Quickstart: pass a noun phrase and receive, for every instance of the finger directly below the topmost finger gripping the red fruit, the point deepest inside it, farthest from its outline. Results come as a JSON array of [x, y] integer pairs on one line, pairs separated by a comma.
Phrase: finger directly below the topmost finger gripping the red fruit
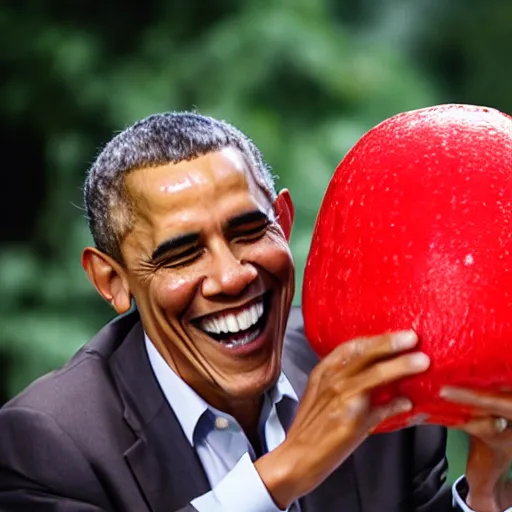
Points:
[[390, 370]]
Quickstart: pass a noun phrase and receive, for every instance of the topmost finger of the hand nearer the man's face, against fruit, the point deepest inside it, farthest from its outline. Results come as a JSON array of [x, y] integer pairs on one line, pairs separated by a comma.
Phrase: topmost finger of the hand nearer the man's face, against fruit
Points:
[[361, 352]]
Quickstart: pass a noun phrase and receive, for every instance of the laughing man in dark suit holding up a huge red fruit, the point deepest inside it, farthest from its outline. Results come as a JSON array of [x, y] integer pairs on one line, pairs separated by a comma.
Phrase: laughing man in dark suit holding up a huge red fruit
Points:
[[203, 394]]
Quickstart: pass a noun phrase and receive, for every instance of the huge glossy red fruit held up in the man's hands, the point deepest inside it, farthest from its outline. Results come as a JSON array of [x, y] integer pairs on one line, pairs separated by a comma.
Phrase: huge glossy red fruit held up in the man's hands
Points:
[[415, 231]]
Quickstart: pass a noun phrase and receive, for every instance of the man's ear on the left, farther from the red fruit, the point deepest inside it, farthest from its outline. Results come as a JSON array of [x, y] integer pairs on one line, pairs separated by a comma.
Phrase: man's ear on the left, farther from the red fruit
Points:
[[108, 278]]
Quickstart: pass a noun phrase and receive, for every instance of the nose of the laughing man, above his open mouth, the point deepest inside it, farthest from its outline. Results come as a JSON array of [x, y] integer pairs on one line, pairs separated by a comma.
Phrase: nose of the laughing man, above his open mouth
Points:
[[227, 275]]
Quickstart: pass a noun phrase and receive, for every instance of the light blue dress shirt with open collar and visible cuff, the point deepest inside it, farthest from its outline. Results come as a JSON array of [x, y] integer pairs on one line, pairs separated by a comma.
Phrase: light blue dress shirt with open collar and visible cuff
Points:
[[221, 445]]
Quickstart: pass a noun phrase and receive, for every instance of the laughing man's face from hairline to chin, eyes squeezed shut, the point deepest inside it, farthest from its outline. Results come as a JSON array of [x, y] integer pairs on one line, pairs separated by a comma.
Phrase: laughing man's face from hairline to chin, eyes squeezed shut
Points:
[[211, 272]]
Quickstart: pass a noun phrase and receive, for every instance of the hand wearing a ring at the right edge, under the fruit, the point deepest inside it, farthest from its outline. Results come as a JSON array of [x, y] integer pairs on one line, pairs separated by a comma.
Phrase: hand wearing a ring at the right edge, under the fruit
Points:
[[490, 453]]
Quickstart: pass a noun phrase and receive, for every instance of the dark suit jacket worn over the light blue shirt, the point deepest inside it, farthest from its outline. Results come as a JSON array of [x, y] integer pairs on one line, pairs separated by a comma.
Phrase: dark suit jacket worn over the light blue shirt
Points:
[[98, 435]]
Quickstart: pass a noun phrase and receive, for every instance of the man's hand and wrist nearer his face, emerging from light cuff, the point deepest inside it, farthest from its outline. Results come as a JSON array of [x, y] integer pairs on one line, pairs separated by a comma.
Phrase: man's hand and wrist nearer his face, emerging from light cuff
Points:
[[336, 415]]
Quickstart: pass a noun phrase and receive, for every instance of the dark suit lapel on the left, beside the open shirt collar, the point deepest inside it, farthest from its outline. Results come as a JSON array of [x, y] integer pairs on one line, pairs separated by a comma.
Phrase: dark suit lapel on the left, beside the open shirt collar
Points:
[[165, 466]]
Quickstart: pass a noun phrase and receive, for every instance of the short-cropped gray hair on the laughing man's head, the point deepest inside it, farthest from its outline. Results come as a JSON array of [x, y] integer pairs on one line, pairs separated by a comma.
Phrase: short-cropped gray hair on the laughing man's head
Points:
[[156, 140]]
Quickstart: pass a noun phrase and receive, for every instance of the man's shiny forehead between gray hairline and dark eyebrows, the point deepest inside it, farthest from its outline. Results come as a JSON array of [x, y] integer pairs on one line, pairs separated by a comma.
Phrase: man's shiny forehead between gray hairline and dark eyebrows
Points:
[[189, 191]]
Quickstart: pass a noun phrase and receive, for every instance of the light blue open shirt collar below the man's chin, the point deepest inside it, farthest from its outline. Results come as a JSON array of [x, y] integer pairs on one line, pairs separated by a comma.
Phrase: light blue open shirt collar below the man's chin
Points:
[[186, 403]]
